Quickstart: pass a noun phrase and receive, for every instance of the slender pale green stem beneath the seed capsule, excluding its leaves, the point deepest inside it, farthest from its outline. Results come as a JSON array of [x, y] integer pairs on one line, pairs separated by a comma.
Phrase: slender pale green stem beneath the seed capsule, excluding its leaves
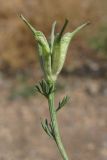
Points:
[[53, 117]]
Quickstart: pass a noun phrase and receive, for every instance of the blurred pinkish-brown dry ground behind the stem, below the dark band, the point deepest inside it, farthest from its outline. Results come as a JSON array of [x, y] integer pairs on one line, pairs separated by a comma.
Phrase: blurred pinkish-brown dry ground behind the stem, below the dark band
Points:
[[83, 122]]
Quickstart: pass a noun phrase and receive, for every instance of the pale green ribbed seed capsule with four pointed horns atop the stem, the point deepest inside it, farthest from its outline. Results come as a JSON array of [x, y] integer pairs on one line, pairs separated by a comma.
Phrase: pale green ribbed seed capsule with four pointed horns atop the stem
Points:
[[52, 55]]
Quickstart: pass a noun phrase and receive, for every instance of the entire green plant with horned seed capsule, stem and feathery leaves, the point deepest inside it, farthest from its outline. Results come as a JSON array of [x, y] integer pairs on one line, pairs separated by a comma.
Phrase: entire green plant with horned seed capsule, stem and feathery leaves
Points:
[[52, 56]]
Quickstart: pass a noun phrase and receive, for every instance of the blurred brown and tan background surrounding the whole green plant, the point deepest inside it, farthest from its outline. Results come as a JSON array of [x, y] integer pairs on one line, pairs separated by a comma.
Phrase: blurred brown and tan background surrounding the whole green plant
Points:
[[83, 122]]
